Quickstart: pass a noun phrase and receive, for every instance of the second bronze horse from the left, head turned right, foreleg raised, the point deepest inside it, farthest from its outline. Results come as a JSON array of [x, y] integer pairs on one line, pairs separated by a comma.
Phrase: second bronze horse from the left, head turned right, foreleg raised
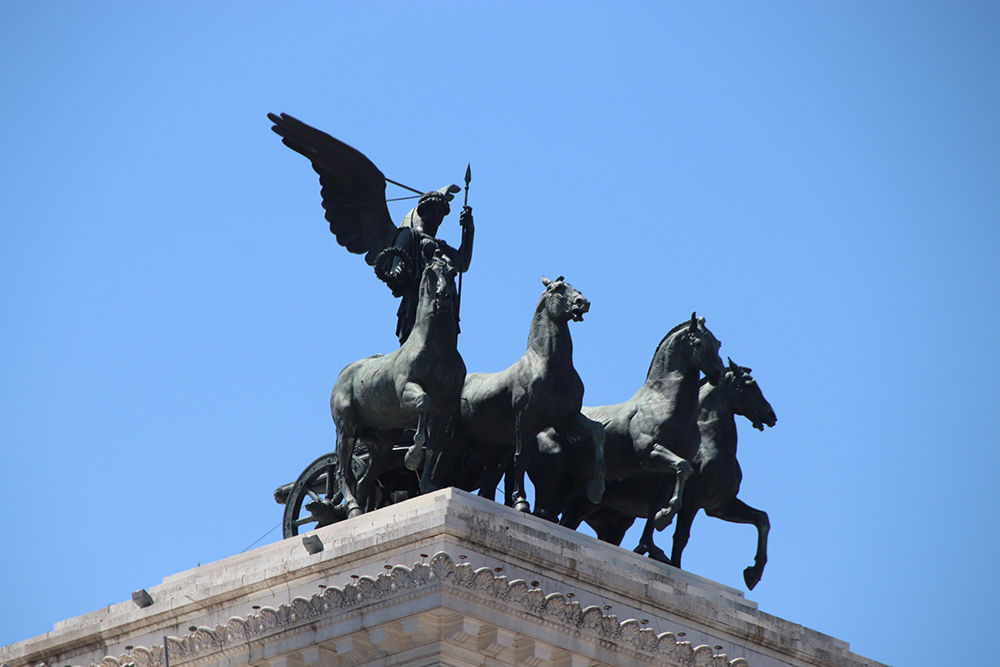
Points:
[[503, 412]]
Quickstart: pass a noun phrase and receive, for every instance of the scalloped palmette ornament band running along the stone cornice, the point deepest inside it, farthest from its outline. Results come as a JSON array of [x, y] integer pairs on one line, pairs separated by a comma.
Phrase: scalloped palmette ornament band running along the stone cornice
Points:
[[516, 595]]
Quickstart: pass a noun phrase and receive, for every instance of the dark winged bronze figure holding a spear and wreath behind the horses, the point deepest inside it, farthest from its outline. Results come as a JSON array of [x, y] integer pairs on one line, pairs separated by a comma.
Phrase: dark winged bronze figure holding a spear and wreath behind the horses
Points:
[[353, 193]]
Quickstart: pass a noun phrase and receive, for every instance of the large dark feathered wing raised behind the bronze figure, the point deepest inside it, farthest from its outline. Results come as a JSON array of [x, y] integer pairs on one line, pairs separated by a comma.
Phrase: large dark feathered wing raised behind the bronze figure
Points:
[[352, 187]]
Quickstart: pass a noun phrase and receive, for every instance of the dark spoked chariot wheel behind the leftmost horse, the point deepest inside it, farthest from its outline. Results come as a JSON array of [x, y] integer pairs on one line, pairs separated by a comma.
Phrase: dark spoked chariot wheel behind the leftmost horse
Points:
[[314, 498]]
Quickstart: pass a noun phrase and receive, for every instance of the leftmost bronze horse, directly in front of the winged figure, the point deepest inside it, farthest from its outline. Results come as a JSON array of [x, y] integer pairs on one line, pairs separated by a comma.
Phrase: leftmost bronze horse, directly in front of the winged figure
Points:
[[374, 399]]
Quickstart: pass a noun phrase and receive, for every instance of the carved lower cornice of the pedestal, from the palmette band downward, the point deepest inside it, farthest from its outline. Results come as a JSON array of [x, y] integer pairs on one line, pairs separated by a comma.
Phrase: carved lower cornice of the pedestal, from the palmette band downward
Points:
[[294, 634]]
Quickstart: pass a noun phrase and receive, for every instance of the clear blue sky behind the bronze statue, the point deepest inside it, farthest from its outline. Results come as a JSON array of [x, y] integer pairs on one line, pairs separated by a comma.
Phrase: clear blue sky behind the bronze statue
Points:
[[819, 180]]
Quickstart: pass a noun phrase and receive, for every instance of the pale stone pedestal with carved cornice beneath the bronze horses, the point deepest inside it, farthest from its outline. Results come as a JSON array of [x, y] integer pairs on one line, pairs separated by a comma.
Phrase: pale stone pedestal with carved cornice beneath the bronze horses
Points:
[[444, 579]]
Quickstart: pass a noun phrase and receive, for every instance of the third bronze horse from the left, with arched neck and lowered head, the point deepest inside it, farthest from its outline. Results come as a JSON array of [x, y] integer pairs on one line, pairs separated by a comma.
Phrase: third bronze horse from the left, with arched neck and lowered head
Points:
[[655, 432]]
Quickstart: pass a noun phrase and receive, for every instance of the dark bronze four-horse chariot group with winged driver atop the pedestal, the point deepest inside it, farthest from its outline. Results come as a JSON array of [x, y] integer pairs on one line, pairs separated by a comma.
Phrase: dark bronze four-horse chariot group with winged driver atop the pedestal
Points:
[[415, 409]]
